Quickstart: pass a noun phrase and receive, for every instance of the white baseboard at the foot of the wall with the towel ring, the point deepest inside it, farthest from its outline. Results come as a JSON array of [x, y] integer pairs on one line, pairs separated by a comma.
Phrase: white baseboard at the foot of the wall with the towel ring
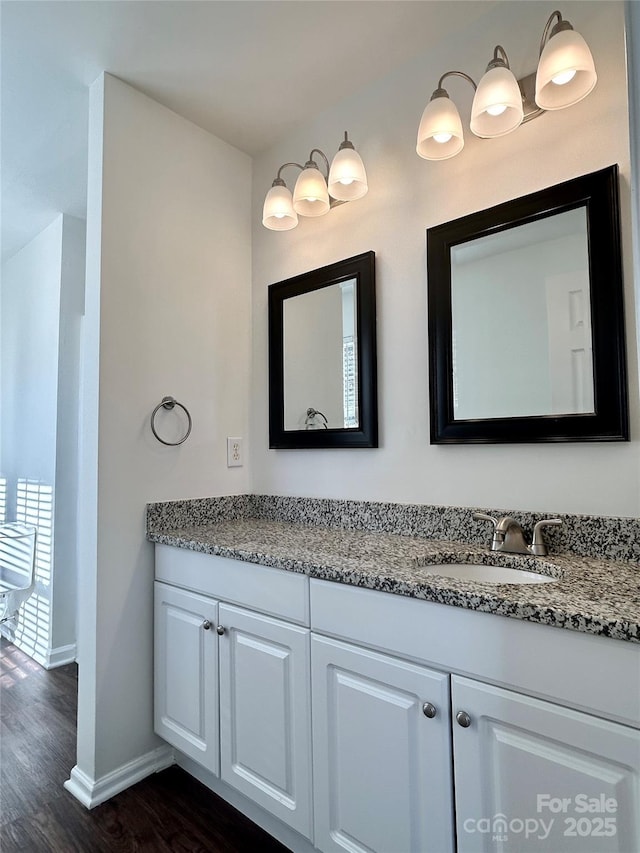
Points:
[[91, 792]]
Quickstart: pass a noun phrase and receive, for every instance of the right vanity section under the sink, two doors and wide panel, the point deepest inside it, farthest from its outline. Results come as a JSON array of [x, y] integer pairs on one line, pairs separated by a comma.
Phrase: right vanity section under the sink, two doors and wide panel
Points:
[[518, 759]]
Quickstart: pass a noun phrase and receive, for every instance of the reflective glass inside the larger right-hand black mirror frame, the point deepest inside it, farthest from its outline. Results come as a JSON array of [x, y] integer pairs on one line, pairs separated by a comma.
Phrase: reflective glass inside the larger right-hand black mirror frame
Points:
[[521, 321]]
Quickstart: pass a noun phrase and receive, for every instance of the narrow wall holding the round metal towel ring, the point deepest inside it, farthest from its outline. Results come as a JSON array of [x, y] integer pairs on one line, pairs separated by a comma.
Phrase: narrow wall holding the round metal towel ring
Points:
[[168, 312]]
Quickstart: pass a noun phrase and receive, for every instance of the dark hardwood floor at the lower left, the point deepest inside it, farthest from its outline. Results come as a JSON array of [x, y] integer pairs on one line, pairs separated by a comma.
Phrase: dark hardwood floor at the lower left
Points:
[[169, 811]]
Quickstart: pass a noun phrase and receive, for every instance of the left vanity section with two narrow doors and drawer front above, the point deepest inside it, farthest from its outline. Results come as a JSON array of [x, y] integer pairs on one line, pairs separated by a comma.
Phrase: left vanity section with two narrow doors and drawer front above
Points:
[[232, 683]]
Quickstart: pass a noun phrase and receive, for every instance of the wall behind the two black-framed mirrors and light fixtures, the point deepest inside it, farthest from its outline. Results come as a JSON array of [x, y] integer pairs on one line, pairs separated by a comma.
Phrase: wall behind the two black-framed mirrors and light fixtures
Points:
[[406, 196]]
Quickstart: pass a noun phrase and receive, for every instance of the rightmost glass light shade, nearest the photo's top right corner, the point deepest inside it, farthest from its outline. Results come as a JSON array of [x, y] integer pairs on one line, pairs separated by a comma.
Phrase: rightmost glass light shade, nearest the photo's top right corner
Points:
[[565, 52]]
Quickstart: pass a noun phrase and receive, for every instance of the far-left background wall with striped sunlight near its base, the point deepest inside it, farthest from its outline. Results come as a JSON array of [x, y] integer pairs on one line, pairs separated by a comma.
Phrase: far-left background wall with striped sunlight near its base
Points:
[[42, 303]]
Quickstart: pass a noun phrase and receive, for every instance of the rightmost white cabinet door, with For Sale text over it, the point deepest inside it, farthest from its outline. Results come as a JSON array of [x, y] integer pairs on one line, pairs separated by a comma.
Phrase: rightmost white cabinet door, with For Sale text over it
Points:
[[534, 776]]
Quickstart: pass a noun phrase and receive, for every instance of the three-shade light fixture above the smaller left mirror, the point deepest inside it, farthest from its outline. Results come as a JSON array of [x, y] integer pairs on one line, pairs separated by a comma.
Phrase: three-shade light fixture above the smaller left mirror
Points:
[[315, 193]]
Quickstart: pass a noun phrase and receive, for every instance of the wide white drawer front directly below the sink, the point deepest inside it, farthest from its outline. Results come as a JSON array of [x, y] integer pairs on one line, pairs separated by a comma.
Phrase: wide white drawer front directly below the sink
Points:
[[589, 673]]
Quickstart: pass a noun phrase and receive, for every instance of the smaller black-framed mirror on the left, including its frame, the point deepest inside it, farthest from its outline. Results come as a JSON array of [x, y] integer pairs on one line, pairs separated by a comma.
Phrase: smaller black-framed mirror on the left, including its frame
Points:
[[322, 357]]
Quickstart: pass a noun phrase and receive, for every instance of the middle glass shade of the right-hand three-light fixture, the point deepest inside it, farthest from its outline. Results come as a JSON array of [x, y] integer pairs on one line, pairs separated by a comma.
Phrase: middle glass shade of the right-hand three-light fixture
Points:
[[497, 104]]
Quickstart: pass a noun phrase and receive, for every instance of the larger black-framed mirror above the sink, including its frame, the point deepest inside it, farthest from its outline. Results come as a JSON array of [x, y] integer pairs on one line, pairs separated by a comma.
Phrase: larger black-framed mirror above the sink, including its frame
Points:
[[526, 320]]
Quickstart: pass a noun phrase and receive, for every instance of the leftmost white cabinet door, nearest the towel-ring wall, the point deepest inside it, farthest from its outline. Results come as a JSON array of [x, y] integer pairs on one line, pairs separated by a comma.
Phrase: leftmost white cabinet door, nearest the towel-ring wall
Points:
[[186, 673]]
